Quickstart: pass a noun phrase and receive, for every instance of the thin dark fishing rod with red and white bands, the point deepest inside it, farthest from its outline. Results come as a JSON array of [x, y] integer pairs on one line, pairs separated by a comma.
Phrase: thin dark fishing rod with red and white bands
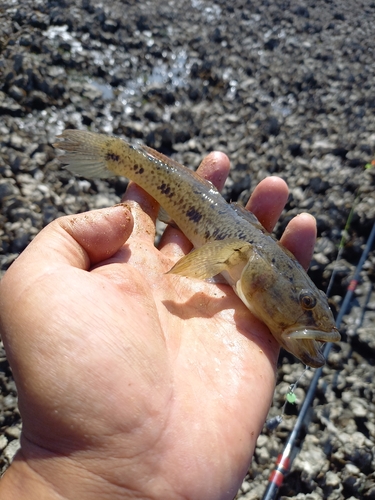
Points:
[[285, 459]]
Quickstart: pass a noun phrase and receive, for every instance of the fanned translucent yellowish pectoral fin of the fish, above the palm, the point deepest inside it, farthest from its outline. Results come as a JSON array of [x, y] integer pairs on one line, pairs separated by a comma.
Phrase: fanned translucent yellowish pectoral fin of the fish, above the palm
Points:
[[213, 258]]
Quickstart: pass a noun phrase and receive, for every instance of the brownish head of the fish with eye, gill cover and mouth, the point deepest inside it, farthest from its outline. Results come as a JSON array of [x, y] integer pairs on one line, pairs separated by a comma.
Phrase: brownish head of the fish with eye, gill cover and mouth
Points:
[[278, 291]]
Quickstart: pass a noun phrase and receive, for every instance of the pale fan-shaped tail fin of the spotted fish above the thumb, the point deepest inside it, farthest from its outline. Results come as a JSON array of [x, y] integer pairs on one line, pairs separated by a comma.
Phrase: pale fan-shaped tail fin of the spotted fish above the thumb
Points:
[[89, 154]]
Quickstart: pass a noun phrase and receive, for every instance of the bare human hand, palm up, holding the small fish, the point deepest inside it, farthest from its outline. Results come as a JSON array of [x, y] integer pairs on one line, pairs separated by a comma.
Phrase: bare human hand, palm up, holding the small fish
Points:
[[133, 383]]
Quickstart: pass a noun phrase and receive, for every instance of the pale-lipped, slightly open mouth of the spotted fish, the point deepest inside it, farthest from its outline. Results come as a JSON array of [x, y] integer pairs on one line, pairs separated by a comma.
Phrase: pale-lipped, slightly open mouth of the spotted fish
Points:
[[306, 344]]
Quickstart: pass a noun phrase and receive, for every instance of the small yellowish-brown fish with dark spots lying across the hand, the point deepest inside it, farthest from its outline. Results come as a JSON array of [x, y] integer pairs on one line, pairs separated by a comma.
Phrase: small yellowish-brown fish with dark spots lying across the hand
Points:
[[228, 240]]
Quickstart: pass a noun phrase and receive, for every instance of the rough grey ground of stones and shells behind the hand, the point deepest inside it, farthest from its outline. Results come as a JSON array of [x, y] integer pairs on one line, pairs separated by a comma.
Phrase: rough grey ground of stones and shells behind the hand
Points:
[[283, 87]]
